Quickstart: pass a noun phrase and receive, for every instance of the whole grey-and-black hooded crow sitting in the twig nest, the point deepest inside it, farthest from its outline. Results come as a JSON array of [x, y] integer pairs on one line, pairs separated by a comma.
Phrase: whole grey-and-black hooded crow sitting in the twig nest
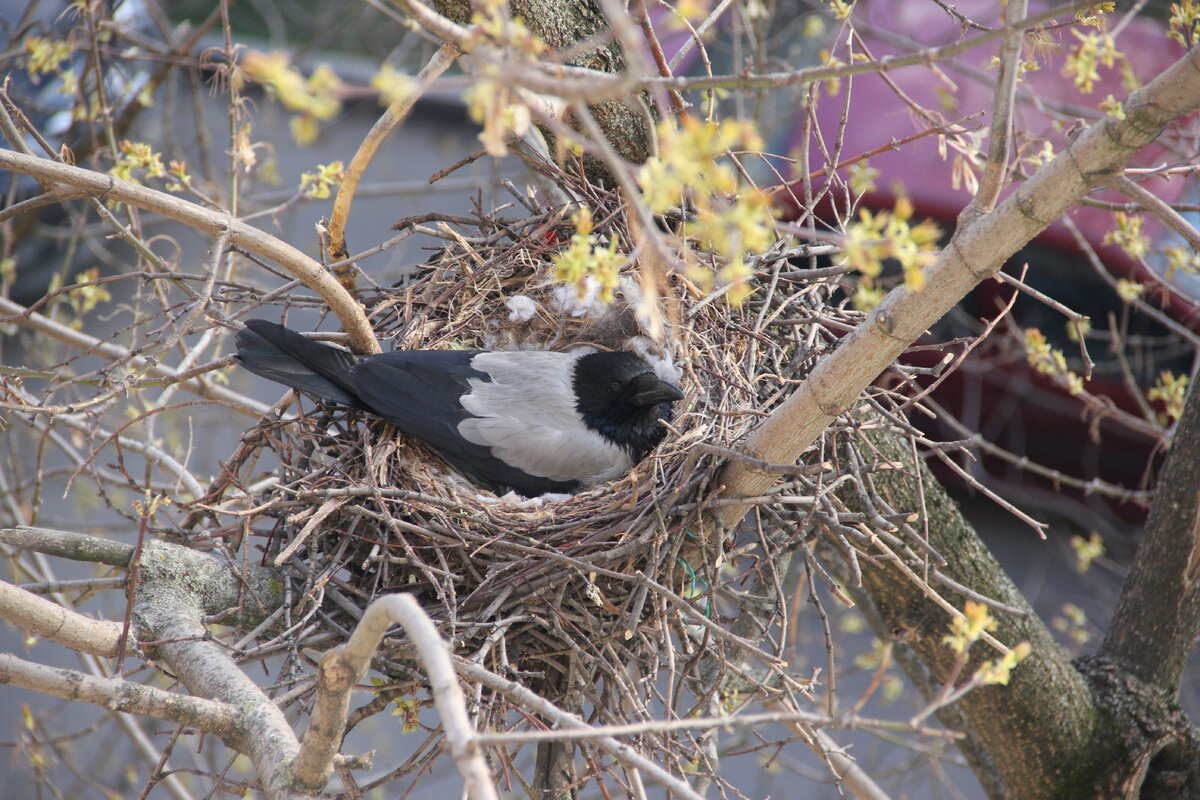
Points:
[[527, 422]]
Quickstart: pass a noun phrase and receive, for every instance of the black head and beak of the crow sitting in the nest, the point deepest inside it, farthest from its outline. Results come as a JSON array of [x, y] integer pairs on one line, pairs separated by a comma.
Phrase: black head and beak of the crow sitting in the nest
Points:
[[620, 398]]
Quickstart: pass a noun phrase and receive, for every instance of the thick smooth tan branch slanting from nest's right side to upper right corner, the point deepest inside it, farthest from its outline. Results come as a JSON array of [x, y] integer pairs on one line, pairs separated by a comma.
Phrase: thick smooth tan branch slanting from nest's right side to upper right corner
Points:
[[976, 252]]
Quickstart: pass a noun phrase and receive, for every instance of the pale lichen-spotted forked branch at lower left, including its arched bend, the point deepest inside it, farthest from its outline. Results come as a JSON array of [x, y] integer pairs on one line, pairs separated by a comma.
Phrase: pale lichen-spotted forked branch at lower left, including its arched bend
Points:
[[177, 590]]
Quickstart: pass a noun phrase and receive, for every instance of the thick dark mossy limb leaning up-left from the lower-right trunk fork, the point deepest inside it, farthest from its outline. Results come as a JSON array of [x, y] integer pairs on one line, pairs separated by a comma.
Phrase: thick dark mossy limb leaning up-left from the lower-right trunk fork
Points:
[[1039, 730]]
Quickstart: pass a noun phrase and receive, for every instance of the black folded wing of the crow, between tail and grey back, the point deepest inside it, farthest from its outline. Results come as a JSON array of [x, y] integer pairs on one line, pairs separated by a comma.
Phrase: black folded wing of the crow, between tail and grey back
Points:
[[421, 392]]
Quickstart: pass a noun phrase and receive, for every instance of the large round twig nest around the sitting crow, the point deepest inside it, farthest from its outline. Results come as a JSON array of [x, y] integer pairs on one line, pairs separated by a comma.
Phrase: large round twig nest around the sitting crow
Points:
[[358, 512]]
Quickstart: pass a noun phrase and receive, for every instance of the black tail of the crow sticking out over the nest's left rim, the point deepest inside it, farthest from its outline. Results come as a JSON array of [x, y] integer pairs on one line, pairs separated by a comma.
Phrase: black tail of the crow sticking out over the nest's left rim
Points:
[[285, 357]]
